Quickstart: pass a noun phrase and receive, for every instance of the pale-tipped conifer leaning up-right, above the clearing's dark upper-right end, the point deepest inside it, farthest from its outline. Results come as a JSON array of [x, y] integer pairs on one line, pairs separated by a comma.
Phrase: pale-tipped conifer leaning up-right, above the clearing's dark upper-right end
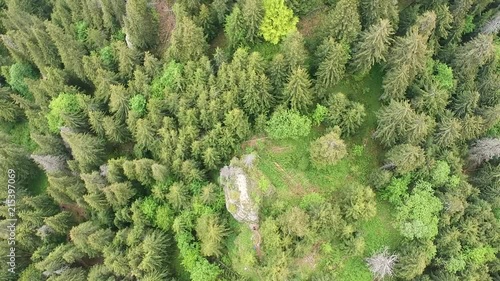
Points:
[[373, 46]]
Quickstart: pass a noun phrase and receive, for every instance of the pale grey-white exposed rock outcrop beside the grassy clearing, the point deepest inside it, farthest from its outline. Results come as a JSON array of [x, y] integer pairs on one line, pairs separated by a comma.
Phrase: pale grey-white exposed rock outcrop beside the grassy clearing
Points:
[[238, 187]]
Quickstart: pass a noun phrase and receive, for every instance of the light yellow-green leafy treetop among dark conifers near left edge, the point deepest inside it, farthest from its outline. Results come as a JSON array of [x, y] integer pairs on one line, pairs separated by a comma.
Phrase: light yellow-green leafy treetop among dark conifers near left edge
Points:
[[60, 107]]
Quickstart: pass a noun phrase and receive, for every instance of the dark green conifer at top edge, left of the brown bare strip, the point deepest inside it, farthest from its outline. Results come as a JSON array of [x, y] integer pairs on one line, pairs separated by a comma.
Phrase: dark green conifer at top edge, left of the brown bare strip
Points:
[[140, 25]]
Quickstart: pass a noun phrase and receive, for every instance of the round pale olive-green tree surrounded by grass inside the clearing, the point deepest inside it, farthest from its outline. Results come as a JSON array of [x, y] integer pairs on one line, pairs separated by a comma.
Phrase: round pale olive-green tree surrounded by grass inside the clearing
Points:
[[327, 150]]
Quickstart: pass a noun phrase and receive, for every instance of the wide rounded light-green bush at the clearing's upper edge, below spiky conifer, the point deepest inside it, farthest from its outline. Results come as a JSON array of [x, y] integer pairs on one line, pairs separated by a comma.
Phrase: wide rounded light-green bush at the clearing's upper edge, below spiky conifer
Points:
[[286, 124]]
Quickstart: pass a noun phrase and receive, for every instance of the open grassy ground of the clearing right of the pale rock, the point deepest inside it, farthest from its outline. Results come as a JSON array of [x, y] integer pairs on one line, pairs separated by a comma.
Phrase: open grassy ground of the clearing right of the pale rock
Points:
[[286, 165]]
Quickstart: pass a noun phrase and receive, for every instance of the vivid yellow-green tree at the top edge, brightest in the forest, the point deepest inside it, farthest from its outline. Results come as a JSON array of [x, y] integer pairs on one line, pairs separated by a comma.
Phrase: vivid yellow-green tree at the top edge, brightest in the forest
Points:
[[278, 21]]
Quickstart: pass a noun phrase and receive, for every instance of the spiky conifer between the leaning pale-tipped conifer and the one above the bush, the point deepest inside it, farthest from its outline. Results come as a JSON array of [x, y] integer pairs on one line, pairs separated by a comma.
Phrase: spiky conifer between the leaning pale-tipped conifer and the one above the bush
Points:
[[334, 57]]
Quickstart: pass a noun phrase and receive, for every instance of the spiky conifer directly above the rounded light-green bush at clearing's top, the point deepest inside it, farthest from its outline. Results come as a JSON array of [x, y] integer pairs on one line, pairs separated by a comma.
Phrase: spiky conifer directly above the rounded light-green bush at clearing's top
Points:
[[298, 93]]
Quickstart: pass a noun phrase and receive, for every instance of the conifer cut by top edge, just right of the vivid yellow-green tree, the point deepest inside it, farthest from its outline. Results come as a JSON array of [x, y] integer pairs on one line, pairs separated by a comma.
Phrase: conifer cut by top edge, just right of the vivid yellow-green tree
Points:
[[343, 22]]
